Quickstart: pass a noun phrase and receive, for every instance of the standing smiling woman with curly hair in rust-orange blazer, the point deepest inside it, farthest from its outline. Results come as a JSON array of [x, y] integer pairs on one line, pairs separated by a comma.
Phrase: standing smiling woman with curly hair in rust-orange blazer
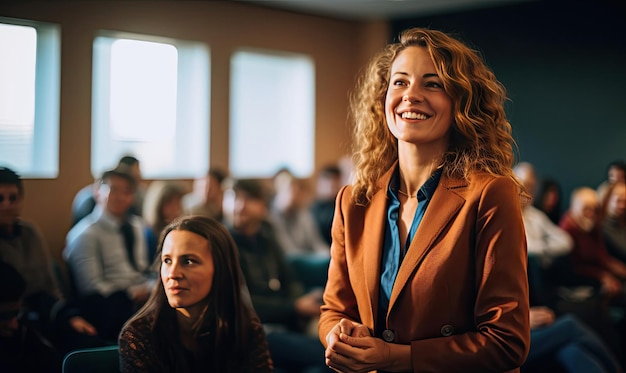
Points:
[[428, 259]]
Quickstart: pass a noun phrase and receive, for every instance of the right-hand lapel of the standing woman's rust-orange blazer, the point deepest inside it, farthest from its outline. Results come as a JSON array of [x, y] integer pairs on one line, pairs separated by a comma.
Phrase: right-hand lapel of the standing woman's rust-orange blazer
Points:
[[443, 206]]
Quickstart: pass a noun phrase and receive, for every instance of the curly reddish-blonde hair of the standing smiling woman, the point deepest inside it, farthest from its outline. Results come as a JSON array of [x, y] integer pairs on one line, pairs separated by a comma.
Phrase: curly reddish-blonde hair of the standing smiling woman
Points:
[[480, 139]]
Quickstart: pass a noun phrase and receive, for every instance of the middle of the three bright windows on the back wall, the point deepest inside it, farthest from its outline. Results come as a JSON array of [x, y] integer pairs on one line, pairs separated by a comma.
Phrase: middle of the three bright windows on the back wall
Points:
[[150, 100]]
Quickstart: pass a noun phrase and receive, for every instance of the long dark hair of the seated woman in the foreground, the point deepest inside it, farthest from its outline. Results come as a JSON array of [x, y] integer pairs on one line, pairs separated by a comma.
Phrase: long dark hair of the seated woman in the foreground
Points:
[[226, 325]]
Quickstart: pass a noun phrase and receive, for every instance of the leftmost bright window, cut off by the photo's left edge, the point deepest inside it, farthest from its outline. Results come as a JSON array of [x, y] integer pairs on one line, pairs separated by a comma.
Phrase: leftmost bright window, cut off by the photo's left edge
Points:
[[29, 97]]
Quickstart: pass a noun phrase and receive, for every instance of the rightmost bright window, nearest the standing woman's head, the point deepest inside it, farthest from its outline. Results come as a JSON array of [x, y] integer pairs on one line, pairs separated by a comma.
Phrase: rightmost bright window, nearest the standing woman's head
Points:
[[272, 113]]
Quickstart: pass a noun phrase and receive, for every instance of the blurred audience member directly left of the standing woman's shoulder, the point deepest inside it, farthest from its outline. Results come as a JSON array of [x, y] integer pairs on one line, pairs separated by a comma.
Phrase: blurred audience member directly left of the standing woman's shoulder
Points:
[[323, 206]]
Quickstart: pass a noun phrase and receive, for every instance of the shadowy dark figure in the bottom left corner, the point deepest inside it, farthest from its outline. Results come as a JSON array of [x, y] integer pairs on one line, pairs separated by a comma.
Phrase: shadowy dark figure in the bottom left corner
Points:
[[22, 347]]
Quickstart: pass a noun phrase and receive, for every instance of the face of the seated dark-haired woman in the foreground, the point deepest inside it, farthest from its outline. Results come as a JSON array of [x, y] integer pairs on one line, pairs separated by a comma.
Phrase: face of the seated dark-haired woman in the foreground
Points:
[[187, 269]]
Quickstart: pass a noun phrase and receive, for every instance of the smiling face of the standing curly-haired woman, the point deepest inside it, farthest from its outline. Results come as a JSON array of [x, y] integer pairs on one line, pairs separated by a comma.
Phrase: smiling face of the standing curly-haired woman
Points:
[[418, 109]]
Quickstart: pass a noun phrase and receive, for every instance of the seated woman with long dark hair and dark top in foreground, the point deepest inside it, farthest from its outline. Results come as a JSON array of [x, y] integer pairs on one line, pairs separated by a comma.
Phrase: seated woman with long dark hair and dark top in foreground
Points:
[[199, 316]]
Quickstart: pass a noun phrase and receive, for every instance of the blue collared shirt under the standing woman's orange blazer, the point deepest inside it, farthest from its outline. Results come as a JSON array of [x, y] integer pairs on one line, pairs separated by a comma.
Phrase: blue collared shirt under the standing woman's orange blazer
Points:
[[392, 253]]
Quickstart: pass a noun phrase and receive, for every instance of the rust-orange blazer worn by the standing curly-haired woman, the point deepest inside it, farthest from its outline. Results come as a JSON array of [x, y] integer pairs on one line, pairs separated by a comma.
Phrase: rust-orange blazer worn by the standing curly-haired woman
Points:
[[460, 298]]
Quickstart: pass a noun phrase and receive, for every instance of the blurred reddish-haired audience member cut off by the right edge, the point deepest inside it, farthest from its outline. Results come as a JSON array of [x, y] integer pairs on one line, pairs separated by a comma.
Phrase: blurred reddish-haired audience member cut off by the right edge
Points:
[[614, 220]]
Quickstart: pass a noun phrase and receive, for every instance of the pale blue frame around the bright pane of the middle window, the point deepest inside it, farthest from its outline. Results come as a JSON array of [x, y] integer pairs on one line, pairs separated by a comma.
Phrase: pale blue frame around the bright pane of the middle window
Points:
[[191, 156]]
